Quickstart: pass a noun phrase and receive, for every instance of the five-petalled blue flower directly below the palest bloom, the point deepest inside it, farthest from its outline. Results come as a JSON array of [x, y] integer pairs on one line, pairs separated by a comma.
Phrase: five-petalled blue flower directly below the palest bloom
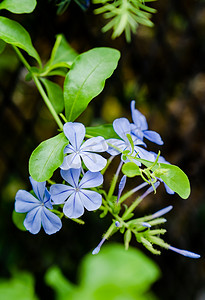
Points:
[[75, 196]]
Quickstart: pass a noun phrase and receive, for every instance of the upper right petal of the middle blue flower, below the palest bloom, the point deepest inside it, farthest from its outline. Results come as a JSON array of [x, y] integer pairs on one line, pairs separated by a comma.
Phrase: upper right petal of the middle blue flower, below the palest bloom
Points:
[[91, 179]]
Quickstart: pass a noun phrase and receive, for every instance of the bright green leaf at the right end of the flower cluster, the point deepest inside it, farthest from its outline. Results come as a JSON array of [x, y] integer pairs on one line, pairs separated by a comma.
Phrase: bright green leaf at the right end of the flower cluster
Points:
[[173, 176]]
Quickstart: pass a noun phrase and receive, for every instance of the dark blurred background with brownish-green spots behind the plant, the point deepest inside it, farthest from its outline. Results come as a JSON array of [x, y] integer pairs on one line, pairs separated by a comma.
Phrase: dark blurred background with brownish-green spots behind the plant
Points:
[[163, 69]]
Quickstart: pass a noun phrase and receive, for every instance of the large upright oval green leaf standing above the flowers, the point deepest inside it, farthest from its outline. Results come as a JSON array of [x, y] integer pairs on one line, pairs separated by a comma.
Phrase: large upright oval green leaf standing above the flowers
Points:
[[86, 79]]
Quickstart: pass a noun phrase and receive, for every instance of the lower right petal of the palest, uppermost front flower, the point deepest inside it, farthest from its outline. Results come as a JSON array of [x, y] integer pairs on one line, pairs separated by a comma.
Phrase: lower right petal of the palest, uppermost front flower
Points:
[[94, 162]]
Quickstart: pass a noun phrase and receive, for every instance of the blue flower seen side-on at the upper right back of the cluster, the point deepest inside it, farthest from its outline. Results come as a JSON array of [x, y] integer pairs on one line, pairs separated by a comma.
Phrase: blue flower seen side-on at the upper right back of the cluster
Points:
[[140, 127]]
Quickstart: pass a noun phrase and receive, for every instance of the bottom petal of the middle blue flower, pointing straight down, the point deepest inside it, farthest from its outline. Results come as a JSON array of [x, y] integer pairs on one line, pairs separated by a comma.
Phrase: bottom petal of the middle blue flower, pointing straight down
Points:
[[73, 207]]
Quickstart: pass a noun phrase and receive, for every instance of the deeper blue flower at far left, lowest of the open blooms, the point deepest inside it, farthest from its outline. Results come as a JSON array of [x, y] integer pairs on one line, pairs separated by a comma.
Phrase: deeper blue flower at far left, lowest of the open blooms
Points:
[[37, 208]]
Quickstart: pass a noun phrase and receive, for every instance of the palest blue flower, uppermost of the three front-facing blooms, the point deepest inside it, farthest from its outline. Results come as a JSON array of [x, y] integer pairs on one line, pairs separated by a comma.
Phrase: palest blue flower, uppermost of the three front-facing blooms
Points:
[[77, 150]]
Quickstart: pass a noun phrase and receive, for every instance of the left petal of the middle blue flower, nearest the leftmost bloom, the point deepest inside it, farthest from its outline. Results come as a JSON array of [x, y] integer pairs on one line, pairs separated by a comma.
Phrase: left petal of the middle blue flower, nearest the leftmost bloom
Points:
[[60, 193]]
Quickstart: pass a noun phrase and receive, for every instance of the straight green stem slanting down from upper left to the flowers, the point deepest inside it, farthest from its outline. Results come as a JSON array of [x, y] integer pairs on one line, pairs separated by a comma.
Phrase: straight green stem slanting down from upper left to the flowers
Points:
[[40, 88]]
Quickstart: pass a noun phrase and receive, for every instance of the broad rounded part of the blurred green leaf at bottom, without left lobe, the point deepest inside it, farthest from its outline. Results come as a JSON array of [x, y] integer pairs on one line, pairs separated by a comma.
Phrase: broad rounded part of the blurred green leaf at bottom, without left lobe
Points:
[[121, 272]]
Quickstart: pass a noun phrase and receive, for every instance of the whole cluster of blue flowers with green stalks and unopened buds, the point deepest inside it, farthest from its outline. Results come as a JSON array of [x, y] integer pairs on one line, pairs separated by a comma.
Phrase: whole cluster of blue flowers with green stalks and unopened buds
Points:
[[82, 173]]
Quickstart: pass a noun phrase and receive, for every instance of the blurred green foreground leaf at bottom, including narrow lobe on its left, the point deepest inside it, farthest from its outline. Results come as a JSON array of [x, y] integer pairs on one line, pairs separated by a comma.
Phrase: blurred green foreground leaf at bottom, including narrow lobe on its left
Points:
[[112, 274]]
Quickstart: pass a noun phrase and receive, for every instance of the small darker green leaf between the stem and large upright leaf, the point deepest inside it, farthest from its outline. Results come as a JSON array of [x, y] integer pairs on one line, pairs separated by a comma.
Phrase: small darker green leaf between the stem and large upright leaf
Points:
[[55, 94]]
